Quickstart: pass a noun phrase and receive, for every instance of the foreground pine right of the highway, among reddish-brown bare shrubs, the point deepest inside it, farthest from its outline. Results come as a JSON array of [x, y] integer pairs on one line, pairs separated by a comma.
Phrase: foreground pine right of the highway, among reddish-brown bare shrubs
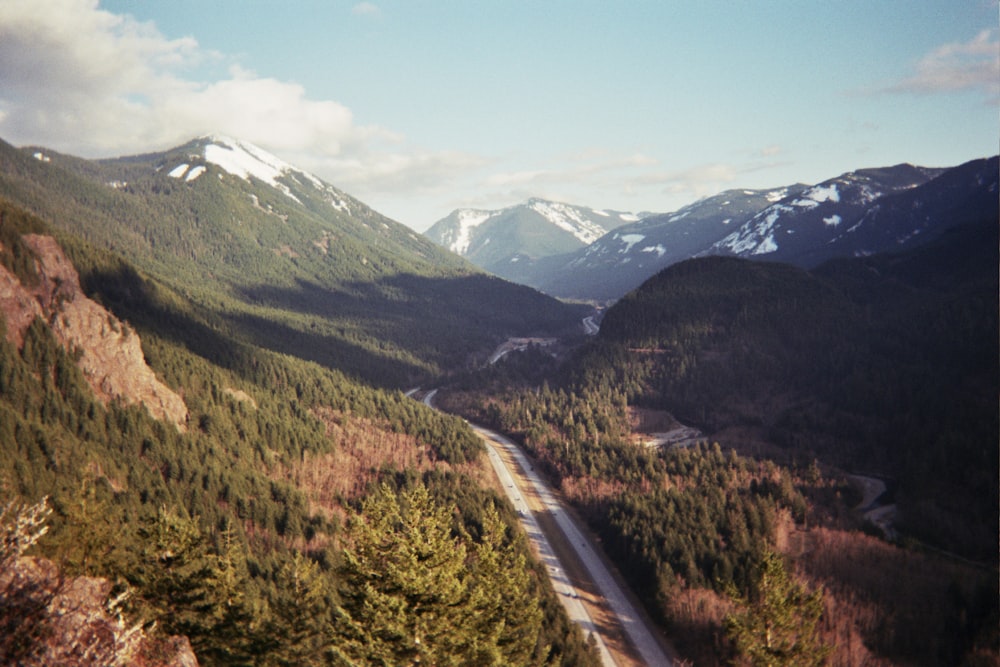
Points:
[[777, 624]]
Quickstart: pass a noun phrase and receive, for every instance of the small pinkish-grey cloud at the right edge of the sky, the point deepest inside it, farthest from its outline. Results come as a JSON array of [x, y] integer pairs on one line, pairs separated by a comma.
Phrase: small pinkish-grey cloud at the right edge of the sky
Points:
[[972, 65]]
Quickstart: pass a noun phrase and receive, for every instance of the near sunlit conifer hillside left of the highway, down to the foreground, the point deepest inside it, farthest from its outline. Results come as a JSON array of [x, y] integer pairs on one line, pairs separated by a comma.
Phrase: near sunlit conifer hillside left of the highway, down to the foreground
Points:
[[285, 519]]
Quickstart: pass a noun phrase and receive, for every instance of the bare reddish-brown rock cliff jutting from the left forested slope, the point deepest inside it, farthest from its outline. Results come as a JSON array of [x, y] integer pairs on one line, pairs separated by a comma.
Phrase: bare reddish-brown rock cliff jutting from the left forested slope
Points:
[[111, 354]]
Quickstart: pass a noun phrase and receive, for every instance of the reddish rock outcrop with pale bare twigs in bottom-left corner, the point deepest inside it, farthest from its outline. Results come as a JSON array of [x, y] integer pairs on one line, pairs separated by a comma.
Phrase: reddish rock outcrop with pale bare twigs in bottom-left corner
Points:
[[52, 620]]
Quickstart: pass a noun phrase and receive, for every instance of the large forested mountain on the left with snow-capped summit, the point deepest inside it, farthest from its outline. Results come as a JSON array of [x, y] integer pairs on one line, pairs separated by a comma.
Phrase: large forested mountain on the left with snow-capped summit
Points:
[[276, 257]]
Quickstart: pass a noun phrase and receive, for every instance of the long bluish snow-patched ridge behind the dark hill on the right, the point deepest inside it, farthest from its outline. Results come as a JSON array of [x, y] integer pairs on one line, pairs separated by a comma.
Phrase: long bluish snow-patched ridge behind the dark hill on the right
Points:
[[856, 214]]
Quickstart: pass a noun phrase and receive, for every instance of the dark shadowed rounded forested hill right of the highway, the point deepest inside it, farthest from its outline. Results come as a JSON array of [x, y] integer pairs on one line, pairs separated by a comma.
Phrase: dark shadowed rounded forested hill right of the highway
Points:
[[886, 364]]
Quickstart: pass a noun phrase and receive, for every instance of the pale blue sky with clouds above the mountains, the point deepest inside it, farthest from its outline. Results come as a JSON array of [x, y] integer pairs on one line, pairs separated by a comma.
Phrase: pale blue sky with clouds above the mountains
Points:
[[420, 107]]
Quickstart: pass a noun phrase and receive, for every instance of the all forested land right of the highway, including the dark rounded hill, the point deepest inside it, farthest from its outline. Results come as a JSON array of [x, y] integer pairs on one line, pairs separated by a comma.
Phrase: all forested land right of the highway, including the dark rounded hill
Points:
[[883, 366]]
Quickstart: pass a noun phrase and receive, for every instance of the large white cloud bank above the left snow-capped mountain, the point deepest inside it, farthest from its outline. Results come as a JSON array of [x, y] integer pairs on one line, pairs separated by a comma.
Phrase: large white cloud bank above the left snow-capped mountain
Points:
[[82, 80]]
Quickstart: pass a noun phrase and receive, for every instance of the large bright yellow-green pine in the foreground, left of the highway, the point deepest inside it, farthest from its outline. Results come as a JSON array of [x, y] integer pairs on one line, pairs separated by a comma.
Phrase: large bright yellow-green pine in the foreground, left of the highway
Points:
[[406, 597]]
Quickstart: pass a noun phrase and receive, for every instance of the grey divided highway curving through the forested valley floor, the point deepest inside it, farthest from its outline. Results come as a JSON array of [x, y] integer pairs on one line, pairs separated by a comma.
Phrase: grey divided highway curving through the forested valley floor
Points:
[[631, 621]]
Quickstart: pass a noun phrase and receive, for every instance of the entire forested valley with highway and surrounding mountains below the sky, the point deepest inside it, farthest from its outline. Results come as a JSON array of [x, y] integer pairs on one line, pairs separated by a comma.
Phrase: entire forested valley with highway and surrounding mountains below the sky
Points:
[[275, 499]]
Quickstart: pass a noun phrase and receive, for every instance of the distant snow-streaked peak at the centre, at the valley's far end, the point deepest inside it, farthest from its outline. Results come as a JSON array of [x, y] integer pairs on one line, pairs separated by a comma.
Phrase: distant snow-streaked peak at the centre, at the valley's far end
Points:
[[499, 241]]
